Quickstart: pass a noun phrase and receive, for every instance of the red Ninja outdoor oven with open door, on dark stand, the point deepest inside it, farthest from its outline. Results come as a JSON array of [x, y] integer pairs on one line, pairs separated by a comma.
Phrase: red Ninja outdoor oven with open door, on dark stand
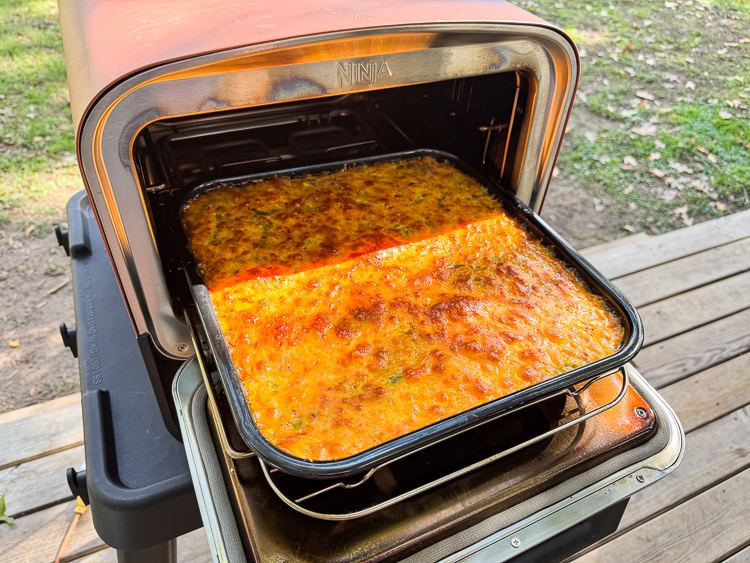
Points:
[[167, 96]]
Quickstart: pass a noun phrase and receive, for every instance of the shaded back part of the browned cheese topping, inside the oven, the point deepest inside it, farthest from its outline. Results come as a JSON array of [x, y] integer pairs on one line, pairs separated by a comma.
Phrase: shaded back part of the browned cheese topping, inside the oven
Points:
[[284, 226]]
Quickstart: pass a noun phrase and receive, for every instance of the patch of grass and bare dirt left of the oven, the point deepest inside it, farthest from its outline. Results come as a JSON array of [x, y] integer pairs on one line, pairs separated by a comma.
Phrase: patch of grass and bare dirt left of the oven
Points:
[[37, 147]]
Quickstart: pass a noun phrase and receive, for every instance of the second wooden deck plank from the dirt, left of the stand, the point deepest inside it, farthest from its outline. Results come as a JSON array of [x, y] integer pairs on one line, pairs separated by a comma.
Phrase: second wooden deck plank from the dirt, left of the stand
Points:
[[40, 483]]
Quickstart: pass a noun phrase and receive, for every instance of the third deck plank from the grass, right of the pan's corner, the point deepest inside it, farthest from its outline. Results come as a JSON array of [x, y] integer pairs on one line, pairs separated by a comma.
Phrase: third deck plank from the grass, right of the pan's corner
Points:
[[695, 308]]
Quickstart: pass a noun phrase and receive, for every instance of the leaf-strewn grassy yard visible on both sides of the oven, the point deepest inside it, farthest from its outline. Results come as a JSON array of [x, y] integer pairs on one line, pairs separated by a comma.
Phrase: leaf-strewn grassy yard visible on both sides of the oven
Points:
[[660, 128]]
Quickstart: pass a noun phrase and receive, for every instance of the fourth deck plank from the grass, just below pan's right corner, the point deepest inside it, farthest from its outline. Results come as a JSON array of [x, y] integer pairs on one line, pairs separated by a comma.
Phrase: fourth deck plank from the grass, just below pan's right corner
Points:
[[694, 351]]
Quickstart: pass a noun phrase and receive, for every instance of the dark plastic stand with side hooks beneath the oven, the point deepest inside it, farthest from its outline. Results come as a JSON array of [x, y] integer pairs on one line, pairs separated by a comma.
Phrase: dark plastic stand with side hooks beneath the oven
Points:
[[137, 479]]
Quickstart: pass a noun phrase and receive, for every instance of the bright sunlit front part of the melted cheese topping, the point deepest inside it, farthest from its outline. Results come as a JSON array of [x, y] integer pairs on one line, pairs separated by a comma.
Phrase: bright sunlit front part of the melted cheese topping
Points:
[[344, 357]]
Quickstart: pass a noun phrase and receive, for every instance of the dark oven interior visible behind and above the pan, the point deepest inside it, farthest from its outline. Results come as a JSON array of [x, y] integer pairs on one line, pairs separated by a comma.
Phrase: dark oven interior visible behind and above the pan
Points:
[[478, 119]]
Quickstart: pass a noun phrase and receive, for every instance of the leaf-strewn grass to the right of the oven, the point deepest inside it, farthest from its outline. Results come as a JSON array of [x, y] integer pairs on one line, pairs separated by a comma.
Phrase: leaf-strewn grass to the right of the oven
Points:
[[661, 126]]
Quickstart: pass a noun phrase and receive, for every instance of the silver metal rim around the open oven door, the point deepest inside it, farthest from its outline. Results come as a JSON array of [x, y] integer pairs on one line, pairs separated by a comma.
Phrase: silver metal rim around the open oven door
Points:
[[498, 538]]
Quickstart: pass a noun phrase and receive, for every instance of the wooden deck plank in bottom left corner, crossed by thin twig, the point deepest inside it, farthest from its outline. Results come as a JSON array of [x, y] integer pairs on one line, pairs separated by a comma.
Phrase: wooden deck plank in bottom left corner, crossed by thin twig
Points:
[[37, 537]]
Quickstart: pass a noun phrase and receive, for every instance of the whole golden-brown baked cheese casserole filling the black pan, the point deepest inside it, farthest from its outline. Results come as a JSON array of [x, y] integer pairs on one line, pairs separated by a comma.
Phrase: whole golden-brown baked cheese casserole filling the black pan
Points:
[[460, 310]]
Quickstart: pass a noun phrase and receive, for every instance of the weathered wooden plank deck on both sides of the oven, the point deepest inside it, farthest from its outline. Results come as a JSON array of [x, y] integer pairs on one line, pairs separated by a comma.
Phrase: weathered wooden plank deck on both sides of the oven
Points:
[[692, 288]]
